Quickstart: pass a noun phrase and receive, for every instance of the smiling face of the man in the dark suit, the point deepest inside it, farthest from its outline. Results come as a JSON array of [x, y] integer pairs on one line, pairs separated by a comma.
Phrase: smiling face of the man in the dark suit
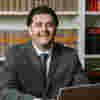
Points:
[[43, 29]]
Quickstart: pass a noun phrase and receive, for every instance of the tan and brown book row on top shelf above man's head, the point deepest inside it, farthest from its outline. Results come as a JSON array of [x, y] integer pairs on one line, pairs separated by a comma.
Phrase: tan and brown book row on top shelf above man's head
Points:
[[25, 5]]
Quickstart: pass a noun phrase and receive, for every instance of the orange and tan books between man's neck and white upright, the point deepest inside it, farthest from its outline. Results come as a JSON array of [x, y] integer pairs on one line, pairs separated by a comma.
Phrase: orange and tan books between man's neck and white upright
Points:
[[67, 37]]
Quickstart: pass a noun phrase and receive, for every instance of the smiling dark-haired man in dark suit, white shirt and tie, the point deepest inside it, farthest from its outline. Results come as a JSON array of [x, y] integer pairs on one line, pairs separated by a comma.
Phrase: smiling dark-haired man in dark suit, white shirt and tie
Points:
[[62, 67]]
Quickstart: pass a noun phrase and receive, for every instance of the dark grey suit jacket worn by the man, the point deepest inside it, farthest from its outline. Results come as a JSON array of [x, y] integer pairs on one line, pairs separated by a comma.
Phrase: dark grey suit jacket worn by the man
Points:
[[27, 77]]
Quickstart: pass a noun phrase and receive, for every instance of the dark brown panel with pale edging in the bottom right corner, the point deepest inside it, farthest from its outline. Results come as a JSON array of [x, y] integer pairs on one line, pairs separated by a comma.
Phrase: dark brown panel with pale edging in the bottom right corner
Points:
[[80, 92]]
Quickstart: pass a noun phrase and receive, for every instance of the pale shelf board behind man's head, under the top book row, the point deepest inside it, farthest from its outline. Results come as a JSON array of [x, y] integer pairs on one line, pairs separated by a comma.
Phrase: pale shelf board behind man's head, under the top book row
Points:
[[21, 13]]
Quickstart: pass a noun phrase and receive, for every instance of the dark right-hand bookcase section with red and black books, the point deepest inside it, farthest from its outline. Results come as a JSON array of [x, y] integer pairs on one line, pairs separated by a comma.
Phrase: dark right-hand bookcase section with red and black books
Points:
[[92, 38]]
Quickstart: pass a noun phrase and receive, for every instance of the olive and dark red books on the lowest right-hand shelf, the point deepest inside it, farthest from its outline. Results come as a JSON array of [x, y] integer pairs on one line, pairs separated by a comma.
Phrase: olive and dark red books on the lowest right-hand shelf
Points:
[[93, 68]]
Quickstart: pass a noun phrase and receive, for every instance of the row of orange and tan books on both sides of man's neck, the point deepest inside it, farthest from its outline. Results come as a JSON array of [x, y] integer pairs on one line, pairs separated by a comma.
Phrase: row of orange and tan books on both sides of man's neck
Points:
[[66, 37]]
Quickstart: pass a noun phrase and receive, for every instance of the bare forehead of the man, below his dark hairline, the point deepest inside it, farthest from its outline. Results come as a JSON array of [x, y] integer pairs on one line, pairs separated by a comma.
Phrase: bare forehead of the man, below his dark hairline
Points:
[[42, 18]]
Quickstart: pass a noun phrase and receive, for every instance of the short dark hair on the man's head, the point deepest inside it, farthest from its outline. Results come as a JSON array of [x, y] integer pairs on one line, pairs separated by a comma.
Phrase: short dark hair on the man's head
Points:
[[41, 9]]
